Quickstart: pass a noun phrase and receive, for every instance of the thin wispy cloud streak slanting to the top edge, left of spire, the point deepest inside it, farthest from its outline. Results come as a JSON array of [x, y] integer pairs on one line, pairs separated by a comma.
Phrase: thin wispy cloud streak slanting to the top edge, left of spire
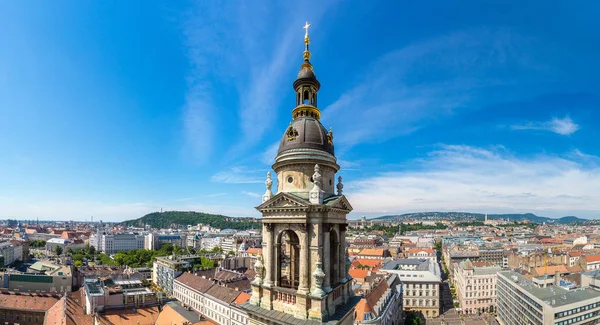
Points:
[[280, 54]]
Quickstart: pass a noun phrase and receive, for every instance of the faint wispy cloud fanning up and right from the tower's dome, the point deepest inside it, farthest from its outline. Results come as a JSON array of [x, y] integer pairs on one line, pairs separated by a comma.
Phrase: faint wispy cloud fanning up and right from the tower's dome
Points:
[[427, 81]]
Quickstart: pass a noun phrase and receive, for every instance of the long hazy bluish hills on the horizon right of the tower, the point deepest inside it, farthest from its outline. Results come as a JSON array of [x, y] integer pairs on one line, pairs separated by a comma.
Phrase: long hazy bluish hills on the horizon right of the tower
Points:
[[479, 216]]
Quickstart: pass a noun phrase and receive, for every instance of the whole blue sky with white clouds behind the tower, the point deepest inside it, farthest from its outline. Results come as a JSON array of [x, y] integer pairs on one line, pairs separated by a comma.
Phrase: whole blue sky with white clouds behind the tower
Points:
[[116, 109]]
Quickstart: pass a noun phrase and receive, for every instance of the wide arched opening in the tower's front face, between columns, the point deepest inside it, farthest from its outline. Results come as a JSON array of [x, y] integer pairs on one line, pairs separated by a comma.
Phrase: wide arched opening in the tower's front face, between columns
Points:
[[288, 255]]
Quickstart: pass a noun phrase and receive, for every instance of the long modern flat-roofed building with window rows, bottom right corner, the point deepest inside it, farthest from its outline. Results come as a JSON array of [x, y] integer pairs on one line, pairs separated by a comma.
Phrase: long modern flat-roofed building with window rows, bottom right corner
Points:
[[521, 301]]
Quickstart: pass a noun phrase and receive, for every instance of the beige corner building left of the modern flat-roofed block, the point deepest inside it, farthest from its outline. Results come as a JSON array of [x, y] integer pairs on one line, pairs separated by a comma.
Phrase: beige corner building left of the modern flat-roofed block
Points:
[[475, 284]]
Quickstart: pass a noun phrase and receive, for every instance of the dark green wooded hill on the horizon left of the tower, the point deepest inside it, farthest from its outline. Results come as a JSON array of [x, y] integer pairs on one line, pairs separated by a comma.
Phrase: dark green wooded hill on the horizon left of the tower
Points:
[[184, 218]]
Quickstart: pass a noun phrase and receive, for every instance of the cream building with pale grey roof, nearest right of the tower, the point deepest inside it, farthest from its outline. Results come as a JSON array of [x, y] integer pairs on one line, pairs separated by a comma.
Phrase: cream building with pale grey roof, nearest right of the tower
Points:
[[421, 280]]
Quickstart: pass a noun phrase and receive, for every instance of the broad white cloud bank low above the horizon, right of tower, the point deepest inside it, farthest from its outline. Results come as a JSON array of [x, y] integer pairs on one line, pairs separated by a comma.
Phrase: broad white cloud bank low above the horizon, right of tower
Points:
[[462, 178]]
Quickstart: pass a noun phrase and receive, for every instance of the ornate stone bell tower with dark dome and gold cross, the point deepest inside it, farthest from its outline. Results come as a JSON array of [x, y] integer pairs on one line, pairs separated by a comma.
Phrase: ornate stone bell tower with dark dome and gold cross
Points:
[[302, 273]]
